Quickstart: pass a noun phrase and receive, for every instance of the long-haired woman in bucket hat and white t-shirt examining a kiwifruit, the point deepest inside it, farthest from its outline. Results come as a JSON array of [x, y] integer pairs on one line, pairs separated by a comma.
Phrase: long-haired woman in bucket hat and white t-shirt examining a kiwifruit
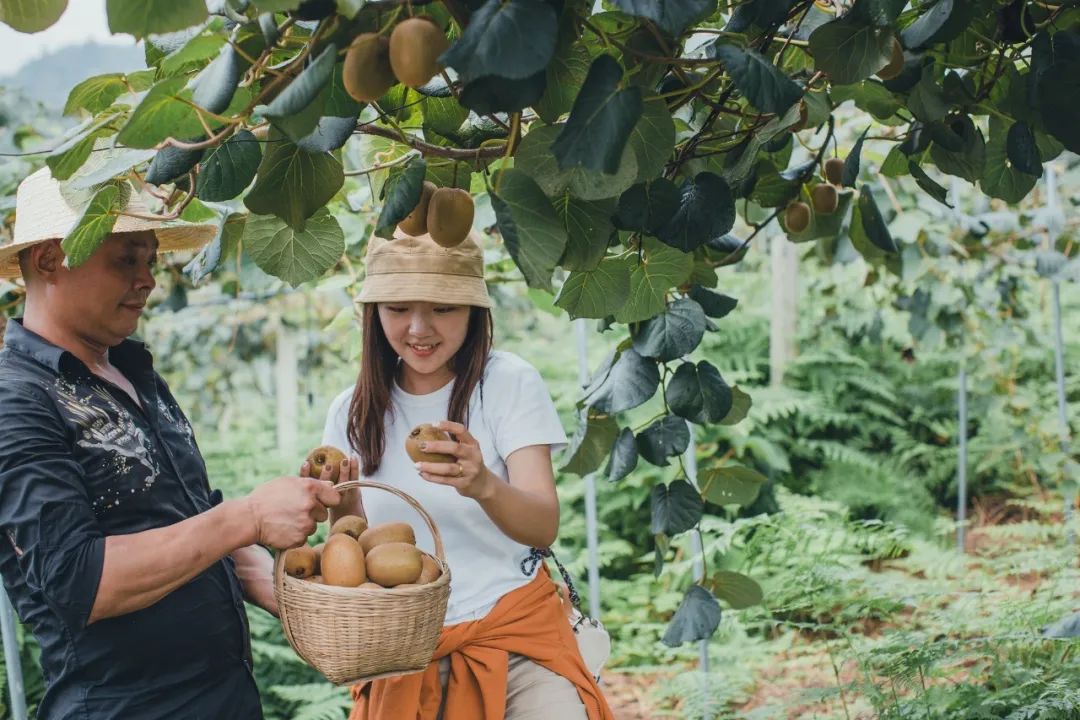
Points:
[[507, 650]]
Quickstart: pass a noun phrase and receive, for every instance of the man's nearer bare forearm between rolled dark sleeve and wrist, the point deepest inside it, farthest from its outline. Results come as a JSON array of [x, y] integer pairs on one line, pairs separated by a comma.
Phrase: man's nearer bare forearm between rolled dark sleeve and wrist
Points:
[[142, 568]]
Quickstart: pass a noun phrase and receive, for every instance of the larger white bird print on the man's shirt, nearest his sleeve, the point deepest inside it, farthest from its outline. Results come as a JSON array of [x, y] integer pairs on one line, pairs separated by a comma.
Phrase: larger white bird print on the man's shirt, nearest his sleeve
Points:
[[113, 431]]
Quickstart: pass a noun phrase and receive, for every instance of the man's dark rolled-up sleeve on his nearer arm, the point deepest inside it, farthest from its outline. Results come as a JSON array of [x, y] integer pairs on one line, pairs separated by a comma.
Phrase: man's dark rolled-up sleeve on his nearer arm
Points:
[[45, 509]]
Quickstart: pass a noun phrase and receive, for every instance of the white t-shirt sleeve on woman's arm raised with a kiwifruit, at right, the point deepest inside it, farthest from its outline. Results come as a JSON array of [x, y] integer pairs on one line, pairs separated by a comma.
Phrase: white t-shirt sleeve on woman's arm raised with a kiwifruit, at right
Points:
[[528, 415]]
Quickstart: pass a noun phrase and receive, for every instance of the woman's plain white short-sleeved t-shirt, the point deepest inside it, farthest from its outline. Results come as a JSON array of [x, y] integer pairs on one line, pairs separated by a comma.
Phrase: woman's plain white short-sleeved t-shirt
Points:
[[510, 410]]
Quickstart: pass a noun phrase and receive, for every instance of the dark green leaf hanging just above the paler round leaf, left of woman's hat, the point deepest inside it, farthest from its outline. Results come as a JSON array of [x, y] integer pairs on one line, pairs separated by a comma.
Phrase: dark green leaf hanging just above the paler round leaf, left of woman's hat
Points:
[[292, 184]]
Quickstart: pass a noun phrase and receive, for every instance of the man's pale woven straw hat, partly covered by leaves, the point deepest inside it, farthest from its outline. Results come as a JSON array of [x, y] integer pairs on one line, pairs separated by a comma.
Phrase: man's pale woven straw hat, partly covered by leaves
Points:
[[43, 213]]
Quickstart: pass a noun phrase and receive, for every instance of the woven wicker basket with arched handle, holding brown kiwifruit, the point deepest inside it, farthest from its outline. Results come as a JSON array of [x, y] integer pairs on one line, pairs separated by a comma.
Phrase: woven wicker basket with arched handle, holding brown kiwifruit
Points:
[[352, 634]]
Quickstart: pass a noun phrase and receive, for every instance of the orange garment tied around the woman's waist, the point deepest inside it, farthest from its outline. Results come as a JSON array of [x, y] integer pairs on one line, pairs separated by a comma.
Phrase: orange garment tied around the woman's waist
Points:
[[530, 621]]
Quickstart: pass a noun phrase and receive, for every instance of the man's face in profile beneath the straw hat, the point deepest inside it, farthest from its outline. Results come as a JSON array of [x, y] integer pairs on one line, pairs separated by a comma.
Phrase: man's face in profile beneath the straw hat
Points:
[[103, 298]]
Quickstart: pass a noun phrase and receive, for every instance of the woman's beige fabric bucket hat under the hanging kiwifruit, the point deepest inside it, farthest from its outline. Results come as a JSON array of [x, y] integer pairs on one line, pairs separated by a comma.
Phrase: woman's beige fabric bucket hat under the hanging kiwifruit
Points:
[[416, 268]]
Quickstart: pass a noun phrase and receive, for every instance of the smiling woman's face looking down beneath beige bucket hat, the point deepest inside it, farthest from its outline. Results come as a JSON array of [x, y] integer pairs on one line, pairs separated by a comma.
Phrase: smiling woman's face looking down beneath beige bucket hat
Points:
[[425, 335]]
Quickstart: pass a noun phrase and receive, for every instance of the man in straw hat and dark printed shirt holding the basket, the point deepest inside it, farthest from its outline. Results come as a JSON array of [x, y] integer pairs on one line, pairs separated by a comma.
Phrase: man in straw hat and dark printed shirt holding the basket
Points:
[[129, 570]]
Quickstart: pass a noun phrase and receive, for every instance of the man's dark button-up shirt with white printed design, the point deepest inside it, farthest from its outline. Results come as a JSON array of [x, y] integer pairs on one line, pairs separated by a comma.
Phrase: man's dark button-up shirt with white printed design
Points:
[[80, 461]]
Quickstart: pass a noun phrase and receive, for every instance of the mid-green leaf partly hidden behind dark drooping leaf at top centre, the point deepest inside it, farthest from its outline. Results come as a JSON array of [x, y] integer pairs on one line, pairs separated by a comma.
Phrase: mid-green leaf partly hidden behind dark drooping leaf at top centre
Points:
[[535, 158]]
